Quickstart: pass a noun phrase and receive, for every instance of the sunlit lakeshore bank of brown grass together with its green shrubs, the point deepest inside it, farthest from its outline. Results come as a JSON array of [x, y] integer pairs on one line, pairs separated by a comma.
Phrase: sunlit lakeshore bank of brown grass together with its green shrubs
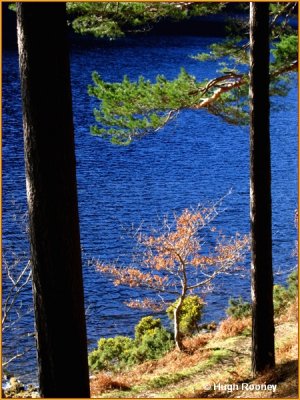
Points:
[[214, 364]]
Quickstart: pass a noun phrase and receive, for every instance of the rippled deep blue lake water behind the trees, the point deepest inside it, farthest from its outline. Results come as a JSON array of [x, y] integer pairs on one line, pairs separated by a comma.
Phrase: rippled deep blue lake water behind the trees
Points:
[[197, 158]]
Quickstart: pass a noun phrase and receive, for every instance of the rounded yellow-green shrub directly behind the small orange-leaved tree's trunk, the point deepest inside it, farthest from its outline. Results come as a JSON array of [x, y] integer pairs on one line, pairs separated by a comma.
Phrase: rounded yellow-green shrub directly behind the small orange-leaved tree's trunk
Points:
[[190, 314]]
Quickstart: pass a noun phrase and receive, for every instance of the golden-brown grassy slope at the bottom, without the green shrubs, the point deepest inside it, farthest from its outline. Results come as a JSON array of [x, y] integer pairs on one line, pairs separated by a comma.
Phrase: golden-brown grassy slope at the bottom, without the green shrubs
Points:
[[214, 365]]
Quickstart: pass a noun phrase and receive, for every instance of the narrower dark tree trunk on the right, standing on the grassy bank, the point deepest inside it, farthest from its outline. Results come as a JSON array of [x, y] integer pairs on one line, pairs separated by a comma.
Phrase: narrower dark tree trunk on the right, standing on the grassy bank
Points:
[[260, 191]]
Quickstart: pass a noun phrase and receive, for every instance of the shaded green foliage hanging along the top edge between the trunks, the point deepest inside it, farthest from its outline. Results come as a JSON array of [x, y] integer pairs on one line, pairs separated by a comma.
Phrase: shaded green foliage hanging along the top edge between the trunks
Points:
[[113, 20]]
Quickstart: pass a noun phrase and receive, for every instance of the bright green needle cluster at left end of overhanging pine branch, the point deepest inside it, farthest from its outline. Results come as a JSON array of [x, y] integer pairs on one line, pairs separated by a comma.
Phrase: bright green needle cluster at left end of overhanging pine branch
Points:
[[132, 109]]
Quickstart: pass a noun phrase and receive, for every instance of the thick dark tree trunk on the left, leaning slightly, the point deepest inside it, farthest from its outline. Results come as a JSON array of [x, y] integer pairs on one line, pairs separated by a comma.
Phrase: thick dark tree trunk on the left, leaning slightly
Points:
[[52, 200]]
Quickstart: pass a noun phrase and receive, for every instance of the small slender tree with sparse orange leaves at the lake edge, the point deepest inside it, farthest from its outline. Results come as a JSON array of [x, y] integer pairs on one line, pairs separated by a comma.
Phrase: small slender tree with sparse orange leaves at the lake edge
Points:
[[176, 261]]
